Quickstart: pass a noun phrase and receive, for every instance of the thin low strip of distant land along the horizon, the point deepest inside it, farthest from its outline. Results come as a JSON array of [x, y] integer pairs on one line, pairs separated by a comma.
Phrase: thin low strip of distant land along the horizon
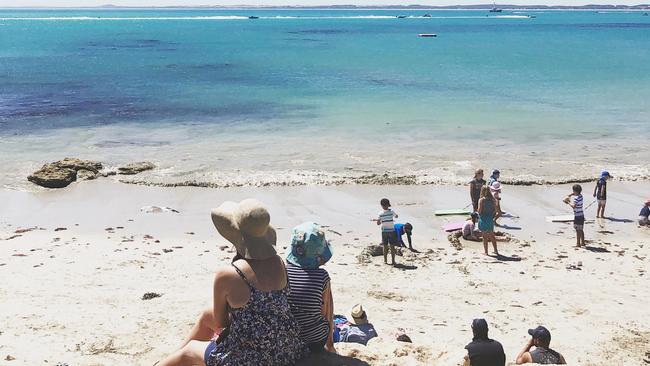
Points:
[[354, 7]]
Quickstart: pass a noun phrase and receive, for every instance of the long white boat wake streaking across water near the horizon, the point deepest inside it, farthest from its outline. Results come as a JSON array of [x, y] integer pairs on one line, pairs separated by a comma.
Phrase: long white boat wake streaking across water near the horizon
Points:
[[238, 17]]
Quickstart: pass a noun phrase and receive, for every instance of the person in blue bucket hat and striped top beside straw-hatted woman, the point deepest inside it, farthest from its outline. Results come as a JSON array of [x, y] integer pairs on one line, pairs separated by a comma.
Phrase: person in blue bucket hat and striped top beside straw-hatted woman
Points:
[[311, 295]]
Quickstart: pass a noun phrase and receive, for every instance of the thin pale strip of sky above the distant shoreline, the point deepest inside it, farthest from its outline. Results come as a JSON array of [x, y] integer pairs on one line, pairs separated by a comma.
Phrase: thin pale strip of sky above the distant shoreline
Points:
[[73, 3]]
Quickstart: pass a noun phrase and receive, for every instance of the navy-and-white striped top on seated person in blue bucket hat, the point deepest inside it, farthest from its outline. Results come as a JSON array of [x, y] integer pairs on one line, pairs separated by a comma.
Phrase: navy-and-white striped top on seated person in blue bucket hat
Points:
[[306, 302]]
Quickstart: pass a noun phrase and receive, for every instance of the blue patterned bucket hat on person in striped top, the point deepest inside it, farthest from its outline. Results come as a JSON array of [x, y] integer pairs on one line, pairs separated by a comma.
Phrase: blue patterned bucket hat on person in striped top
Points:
[[309, 249]]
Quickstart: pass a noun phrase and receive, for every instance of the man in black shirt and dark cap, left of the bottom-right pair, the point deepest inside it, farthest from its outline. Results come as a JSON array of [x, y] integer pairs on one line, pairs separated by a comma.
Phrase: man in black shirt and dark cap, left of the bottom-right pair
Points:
[[483, 351]]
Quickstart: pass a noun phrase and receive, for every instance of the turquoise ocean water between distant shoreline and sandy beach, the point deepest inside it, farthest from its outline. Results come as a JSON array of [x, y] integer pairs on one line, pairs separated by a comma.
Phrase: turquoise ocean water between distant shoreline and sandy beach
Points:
[[326, 96]]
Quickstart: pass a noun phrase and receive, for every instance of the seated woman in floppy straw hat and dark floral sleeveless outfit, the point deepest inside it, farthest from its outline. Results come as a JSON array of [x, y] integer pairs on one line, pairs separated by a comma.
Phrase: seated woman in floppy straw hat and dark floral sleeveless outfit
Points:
[[250, 309]]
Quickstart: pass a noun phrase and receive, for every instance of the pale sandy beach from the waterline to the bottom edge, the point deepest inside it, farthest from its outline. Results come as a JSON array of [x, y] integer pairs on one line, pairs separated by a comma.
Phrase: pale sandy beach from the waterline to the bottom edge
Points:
[[72, 286]]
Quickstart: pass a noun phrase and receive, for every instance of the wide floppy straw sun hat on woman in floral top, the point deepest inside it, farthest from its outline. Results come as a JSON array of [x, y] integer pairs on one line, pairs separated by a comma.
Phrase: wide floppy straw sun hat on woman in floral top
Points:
[[246, 226]]
